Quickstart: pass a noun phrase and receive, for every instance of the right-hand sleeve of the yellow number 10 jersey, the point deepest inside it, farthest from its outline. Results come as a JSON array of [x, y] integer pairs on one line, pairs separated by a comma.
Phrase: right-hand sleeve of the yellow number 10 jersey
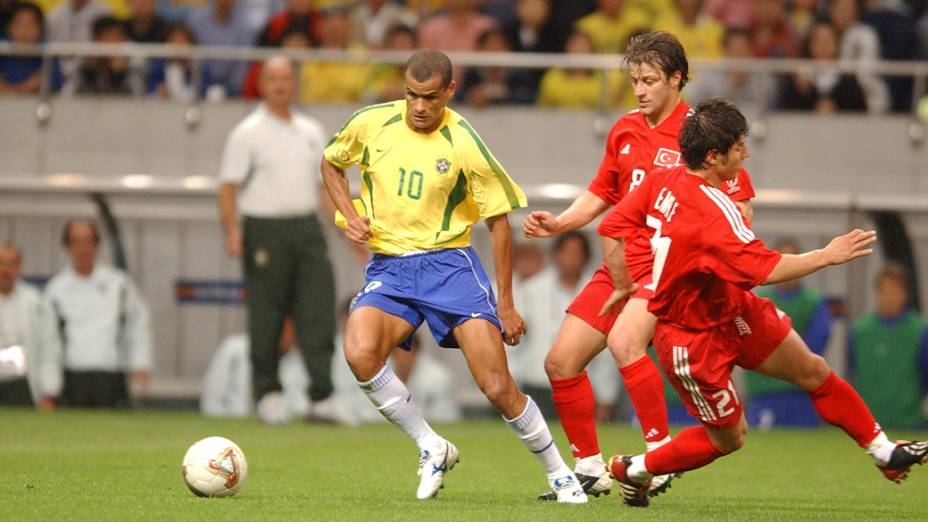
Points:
[[492, 189]]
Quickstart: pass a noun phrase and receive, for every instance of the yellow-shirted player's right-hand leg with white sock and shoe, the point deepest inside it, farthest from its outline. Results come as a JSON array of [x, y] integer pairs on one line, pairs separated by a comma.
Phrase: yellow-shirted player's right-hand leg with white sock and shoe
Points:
[[483, 349]]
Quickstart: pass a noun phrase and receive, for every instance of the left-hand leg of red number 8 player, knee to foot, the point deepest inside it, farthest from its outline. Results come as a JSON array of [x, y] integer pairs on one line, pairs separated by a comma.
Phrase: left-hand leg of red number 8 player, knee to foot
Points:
[[575, 345]]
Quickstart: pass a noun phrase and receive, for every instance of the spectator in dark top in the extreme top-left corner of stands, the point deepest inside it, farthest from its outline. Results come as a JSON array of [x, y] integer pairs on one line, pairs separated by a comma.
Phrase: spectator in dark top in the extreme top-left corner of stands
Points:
[[23, 74]]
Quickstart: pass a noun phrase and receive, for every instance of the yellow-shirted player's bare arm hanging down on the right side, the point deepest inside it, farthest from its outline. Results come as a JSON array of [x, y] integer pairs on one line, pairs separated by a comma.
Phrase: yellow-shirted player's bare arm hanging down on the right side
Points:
[[501, 241]]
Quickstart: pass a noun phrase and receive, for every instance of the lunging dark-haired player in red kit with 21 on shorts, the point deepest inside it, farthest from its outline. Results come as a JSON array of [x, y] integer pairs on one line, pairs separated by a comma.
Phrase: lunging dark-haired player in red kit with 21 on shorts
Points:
[[706, 260]]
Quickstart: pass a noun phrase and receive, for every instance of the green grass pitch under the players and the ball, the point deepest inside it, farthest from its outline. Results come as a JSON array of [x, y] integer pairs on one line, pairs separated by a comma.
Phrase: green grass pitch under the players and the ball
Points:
[[126, 466]]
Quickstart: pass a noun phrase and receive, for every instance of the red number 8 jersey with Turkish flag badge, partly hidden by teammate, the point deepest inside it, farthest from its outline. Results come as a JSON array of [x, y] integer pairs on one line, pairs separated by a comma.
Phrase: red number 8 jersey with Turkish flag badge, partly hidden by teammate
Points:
[[633, 149]]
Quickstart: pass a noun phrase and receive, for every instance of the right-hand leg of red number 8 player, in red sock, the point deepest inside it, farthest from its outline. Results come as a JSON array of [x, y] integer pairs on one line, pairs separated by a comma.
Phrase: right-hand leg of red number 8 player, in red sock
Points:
[[628, 341]]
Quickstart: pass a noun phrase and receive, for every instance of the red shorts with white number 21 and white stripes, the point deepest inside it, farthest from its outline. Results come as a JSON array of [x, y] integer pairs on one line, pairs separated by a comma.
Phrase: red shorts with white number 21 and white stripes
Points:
[[699, 362]]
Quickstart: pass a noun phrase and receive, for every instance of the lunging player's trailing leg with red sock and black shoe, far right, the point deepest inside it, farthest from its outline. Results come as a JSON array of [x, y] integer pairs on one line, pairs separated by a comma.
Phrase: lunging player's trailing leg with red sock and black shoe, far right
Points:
[[840, 405]]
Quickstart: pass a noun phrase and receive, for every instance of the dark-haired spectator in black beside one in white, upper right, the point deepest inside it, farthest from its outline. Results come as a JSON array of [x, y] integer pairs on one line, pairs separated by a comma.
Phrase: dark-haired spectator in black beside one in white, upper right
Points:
[[823, 91]]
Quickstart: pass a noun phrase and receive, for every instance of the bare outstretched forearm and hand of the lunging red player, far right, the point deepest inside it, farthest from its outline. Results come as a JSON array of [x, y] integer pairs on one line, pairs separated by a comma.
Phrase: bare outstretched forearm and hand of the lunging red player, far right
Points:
[[842, 249]]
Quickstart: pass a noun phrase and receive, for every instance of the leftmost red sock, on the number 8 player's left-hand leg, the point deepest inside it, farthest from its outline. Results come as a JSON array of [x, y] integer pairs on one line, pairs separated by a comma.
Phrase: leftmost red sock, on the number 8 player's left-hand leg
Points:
[[576, 405]]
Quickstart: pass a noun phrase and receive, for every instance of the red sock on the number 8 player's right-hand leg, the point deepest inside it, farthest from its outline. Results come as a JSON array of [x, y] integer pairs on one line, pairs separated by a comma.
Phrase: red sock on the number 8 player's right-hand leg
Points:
[[646, 390]]
